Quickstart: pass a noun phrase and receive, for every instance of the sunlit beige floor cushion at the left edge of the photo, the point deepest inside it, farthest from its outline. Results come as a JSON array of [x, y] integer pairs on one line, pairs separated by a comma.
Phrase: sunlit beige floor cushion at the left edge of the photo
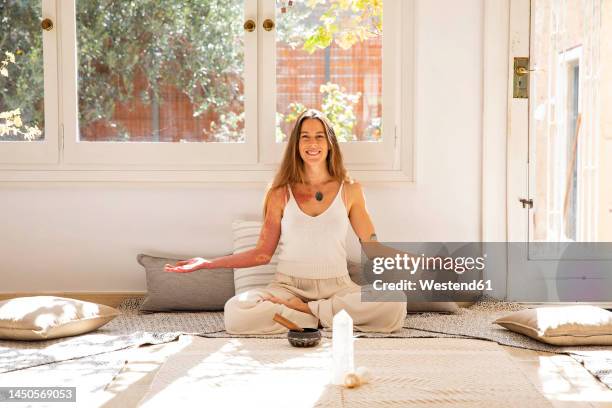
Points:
[[50, 317]]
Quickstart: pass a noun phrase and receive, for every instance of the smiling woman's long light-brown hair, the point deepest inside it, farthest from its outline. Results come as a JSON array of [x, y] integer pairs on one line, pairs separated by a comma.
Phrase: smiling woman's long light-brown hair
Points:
[[291, 169]]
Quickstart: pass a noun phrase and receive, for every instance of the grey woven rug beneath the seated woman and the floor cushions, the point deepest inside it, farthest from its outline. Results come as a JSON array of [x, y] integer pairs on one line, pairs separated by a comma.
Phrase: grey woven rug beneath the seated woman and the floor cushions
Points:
[[131, 329]]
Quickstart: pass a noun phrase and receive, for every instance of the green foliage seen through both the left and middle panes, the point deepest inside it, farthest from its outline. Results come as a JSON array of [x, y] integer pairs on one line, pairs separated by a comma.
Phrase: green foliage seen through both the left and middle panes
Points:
[[192, 45]]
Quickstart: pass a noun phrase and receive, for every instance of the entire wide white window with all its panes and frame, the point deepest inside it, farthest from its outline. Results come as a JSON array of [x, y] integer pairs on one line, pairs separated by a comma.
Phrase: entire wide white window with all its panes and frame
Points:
[[189, 85]]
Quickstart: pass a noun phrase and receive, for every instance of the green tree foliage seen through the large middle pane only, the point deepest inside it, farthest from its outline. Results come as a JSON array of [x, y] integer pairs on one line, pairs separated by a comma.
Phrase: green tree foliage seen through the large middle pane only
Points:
[[192, 45]]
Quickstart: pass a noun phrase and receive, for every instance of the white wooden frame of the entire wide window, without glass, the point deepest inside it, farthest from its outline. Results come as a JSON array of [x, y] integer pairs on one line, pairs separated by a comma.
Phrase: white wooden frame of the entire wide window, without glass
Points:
[[392, 162]]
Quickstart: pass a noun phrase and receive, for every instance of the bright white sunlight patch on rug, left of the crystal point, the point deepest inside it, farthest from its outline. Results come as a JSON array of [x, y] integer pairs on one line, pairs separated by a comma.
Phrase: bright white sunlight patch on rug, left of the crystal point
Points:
[[231, 376]]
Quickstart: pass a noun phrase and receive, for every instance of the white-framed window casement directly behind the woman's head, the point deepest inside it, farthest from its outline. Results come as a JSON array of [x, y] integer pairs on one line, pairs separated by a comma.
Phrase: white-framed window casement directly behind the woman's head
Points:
[[329, 55]]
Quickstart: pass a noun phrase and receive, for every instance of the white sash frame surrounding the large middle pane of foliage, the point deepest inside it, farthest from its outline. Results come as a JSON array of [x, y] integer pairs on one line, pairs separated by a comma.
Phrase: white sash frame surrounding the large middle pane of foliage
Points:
[[153, 153]]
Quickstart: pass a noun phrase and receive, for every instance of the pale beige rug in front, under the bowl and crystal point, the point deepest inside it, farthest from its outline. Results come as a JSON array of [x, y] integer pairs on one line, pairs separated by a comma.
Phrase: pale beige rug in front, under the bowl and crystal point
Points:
[[271, 373]]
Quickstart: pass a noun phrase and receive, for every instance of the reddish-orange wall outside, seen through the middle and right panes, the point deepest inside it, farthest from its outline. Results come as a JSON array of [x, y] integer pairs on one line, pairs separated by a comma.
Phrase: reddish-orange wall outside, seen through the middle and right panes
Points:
[[299, 76]]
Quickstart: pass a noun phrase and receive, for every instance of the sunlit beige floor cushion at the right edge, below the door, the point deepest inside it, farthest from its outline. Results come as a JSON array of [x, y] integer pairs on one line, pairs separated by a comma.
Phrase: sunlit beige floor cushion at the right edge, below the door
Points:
[[563, 326]]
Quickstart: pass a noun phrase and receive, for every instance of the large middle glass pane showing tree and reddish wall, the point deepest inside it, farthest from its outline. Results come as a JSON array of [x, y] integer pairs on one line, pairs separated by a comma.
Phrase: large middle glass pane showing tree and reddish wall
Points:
[[160, 71]]
